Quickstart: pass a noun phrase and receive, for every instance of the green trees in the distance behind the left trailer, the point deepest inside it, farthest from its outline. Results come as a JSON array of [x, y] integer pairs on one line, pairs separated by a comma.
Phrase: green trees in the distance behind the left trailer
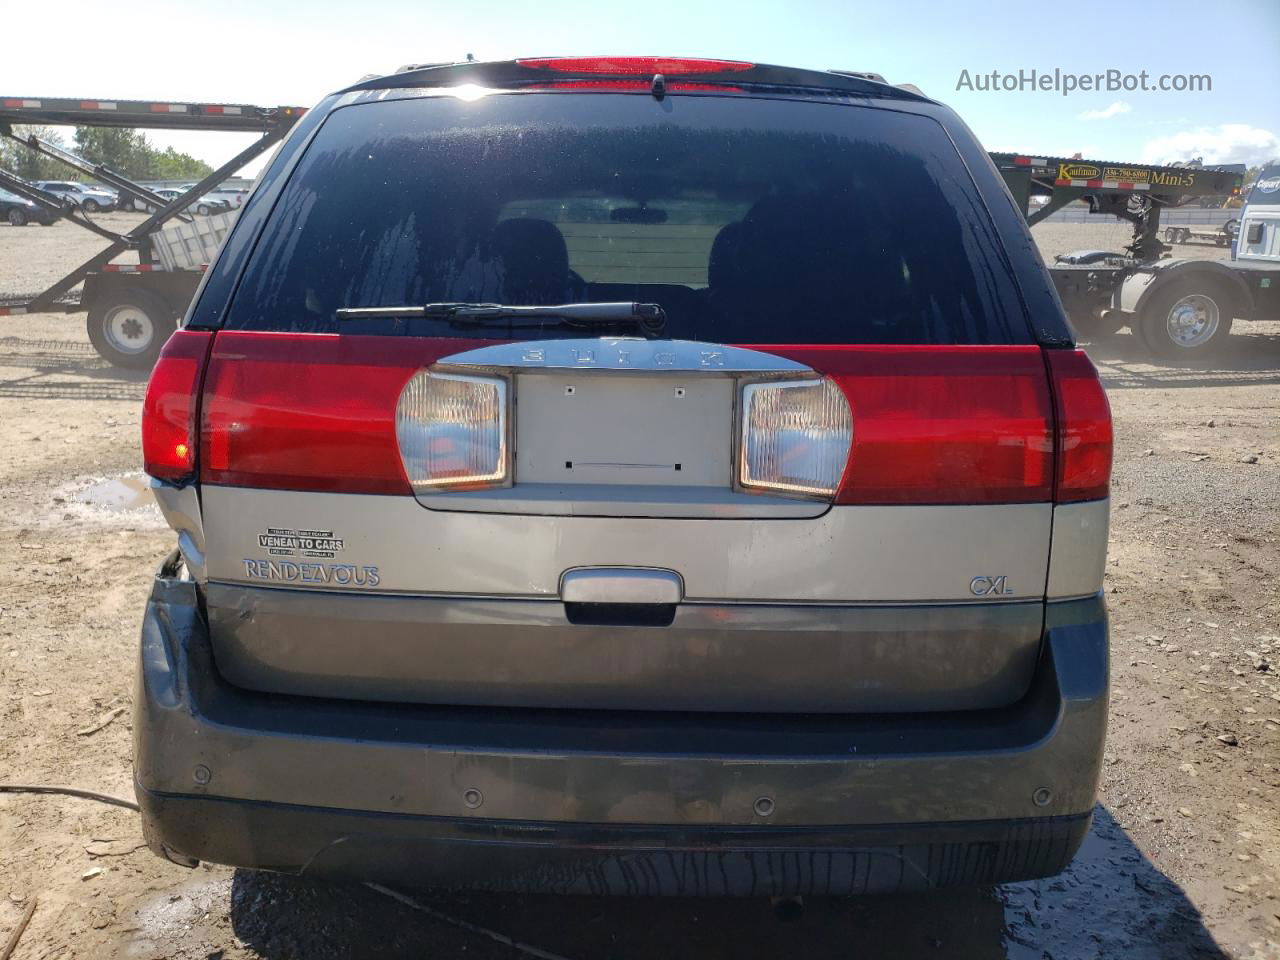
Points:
[[127, 152]]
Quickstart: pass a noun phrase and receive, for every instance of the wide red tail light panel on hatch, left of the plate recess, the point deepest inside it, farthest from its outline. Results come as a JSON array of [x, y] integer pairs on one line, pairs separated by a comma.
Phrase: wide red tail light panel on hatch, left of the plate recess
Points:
[[310, 412]]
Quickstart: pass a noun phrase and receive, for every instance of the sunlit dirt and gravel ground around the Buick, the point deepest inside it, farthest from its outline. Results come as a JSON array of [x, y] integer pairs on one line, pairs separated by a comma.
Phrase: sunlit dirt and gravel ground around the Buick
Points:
[[1183, 861]]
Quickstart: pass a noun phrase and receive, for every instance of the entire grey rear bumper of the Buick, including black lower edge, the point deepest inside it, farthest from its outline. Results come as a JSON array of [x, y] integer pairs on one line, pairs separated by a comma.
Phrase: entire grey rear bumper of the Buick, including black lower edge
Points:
[[592, 801]]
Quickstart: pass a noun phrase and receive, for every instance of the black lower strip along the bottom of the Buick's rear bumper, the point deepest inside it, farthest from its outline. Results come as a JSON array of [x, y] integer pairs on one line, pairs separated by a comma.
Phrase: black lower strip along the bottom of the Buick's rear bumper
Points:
[[609, 858]]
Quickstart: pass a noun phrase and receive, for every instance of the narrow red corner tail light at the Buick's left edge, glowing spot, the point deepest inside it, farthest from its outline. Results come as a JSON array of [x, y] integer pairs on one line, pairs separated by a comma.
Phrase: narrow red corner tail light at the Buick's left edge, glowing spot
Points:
[[170, 409]]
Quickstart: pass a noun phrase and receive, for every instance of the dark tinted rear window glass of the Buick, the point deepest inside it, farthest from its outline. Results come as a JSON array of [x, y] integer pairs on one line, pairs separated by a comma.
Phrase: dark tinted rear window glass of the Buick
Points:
[[751, 221]]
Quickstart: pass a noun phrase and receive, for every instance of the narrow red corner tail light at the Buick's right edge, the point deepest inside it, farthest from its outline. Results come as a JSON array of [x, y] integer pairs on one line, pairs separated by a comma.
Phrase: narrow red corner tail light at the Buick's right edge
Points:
[[1084, 427]]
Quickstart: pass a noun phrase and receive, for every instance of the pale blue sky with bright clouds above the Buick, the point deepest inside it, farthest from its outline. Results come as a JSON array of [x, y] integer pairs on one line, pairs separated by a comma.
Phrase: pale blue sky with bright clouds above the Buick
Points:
[[295, 52]]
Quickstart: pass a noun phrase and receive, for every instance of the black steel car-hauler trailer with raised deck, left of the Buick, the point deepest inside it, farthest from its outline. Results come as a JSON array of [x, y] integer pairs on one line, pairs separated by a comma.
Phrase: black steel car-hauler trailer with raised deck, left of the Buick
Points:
[[132, 308]]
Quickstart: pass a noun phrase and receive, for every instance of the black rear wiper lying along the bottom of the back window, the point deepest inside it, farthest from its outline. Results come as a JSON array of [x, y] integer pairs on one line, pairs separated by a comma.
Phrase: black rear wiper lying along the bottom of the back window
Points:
[[651, 319]]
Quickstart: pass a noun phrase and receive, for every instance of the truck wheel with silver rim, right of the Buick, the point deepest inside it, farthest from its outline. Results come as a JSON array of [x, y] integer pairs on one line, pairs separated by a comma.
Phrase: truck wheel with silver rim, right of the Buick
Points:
[[1190, 319]]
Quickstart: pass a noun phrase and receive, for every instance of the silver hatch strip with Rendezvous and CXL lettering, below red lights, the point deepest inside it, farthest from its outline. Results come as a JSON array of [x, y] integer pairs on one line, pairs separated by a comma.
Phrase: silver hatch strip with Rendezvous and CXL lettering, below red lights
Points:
[[848, 555]]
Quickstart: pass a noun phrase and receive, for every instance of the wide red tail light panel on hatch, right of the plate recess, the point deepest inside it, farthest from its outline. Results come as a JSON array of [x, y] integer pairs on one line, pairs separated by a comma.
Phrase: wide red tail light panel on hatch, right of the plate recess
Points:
[[943, 424]]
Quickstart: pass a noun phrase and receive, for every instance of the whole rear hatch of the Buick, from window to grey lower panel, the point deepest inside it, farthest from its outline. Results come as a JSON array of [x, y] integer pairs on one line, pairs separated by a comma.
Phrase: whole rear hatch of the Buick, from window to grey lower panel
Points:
[[829, 486]]
